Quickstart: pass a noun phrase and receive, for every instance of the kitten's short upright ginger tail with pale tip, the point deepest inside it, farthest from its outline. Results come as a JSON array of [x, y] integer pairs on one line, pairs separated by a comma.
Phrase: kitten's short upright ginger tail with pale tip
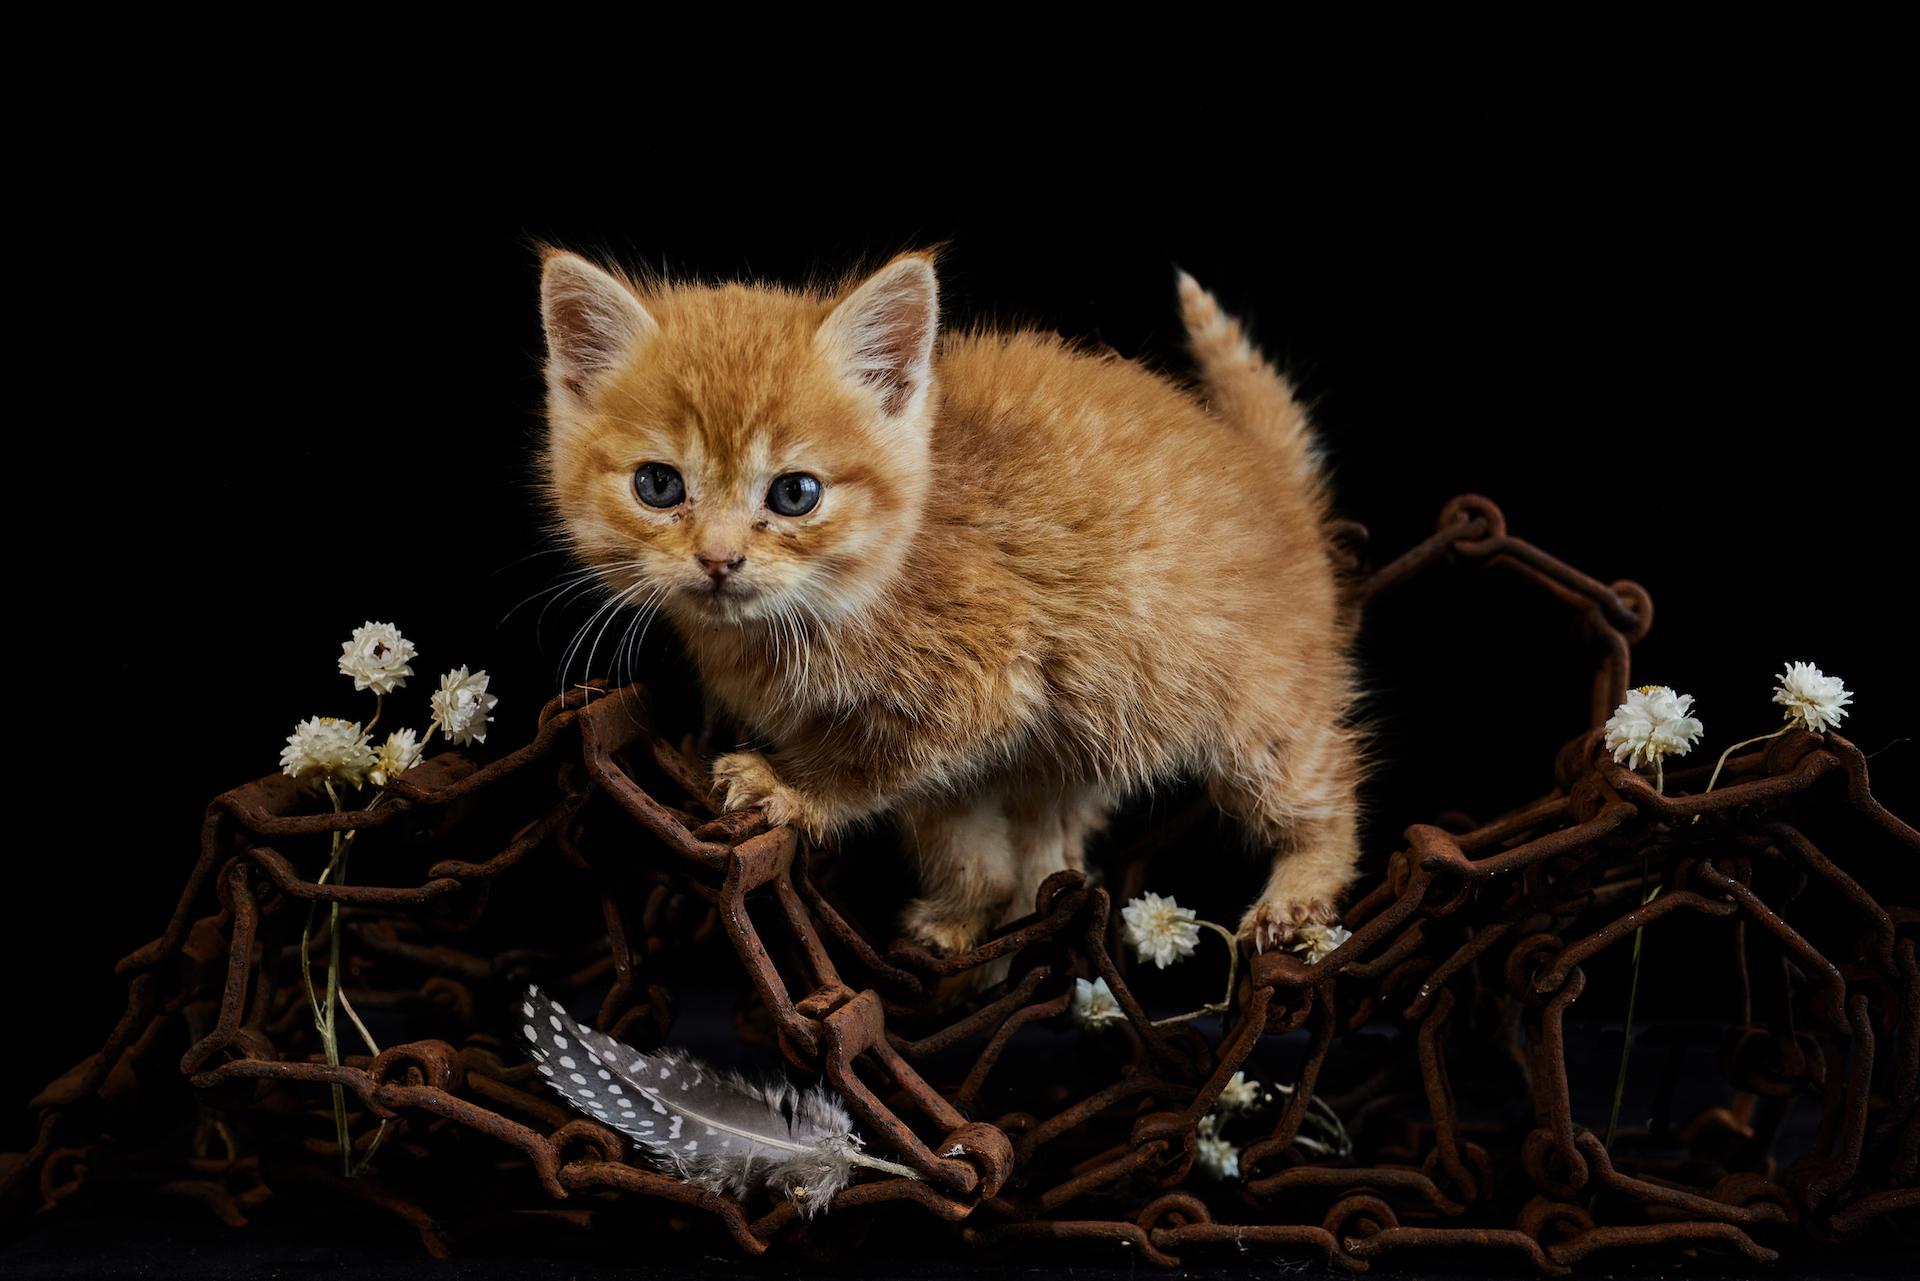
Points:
[[1245, 389]]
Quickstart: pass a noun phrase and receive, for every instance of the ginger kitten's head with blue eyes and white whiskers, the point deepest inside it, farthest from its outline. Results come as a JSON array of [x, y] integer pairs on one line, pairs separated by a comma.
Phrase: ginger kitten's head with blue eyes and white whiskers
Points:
[[740, 452]]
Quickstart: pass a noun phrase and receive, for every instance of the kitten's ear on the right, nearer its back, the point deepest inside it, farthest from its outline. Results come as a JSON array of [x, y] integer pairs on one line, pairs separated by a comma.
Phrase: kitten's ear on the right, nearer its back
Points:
[[882, 335]]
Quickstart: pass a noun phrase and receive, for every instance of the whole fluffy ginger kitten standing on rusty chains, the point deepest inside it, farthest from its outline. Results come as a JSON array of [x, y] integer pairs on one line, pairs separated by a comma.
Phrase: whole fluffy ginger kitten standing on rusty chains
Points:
[[982, 583]]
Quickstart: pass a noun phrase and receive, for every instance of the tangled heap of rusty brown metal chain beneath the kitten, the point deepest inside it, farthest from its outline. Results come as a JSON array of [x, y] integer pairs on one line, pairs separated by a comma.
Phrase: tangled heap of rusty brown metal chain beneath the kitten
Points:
[[1464, 963]]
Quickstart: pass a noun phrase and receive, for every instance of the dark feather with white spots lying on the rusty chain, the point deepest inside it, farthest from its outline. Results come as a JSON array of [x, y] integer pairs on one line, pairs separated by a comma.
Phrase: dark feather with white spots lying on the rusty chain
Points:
[[708, 1126]]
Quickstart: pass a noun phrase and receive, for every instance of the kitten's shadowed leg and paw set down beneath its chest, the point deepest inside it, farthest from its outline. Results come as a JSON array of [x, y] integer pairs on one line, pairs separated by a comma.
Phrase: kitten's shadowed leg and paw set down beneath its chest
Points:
[[967, 871]]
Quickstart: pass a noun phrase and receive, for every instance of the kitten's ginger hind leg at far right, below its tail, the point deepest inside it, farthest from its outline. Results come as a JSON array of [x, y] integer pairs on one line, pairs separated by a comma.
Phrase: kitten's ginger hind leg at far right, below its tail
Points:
[[1301, 800]]
